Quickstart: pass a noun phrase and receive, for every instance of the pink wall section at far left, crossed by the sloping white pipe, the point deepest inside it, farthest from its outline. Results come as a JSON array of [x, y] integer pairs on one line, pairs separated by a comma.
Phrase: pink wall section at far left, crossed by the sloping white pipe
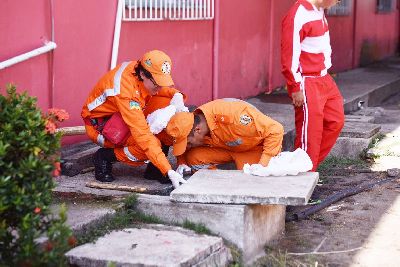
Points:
[[29, 32]]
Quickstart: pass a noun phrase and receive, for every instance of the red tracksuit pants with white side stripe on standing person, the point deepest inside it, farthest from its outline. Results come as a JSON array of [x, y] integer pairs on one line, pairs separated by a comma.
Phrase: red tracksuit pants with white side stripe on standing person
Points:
[[321, 118]]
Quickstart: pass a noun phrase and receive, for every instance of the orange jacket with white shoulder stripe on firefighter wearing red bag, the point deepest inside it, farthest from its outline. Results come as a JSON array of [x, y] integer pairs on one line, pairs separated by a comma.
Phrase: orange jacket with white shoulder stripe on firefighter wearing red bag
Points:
[[120, 91]]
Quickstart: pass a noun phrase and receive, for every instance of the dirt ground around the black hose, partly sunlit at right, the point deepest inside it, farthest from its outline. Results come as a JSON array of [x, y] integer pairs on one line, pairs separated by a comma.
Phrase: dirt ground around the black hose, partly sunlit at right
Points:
[[360, 230]]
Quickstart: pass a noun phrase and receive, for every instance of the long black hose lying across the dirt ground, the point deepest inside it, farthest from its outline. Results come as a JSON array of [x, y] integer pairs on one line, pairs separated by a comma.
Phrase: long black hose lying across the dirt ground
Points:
[[334, 198]]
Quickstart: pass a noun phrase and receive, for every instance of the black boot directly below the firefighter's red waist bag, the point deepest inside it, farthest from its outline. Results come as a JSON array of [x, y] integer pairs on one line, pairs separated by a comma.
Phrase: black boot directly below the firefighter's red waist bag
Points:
[[102, 160]]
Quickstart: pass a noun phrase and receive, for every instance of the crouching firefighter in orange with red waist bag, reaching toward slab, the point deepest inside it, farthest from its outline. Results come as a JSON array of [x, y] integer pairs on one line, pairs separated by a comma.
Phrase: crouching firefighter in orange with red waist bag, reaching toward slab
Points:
[[126, 89]]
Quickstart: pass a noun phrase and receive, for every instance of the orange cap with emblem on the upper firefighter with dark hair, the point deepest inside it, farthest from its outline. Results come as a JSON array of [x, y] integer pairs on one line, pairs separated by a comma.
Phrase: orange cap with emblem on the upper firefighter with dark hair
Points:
[[159, 65]]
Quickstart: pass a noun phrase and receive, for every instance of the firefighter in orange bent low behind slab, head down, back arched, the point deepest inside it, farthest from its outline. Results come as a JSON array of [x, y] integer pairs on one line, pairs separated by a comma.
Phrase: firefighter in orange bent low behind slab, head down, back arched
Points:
[[222, 131]]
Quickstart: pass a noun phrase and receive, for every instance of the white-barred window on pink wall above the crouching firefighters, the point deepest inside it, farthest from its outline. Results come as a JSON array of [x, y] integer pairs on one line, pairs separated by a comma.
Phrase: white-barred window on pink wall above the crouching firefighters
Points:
[[153, 10]]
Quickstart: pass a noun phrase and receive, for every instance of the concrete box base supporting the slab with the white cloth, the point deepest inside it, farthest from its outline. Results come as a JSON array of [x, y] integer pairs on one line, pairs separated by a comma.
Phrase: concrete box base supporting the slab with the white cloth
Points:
[[248, 227]]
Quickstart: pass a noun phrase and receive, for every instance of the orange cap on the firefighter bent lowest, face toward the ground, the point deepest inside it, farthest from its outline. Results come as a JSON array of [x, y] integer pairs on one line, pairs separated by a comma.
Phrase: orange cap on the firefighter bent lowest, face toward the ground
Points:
[[179, 128]]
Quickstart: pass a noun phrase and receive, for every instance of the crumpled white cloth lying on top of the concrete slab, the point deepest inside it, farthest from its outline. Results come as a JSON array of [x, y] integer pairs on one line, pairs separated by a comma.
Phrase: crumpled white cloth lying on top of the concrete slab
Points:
[[285, 163]]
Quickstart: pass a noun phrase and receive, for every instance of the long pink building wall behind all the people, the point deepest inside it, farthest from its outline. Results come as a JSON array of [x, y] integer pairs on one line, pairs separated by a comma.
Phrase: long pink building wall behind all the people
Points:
[[235, 55]]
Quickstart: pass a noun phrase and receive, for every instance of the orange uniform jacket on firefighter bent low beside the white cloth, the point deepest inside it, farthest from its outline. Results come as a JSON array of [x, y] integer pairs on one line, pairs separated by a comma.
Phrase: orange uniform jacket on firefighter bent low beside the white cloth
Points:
[[238, 126]]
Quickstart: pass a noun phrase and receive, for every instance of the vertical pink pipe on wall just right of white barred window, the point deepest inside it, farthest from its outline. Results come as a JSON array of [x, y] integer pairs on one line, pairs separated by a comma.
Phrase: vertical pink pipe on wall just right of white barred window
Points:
[[216, 31]]
